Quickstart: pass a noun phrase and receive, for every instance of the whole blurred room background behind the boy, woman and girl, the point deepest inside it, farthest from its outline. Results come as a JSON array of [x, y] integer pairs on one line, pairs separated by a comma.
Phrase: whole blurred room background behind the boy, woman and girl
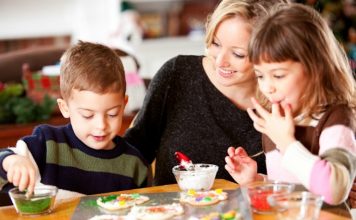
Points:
[[145, 33]]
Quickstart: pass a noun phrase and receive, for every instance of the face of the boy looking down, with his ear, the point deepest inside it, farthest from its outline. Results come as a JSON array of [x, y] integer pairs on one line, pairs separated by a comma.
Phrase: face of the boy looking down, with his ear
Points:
[[96, 118]]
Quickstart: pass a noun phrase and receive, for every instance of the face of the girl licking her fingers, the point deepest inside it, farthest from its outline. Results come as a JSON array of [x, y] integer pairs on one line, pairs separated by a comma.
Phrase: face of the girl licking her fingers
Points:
[[282, 83]]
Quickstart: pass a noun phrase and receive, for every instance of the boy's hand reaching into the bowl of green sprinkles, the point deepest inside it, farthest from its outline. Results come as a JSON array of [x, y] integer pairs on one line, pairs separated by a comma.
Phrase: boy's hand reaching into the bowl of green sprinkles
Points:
[[20, 172]]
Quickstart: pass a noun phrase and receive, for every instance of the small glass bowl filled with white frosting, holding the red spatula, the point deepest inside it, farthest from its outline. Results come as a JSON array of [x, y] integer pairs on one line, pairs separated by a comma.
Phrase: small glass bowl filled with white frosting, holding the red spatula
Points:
[[201, 178]]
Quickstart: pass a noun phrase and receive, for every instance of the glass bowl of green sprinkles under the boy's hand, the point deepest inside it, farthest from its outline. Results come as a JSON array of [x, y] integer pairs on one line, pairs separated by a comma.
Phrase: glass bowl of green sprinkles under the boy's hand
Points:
[[40, 202]]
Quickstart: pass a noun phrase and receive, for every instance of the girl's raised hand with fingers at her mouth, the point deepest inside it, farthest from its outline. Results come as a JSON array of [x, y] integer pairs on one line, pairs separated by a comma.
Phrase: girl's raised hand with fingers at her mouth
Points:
[[280, 129]]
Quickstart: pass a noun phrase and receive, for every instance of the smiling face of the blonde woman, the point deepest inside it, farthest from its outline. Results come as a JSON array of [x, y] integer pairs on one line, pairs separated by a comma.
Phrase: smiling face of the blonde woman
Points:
[[229, 52]]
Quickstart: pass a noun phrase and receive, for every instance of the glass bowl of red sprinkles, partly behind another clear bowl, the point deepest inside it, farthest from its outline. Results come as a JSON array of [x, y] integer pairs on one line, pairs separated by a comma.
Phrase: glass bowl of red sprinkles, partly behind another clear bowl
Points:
[[259, 192]]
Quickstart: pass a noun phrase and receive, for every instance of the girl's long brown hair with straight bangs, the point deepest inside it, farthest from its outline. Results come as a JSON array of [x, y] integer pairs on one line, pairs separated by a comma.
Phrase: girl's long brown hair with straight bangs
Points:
[[297, 32]]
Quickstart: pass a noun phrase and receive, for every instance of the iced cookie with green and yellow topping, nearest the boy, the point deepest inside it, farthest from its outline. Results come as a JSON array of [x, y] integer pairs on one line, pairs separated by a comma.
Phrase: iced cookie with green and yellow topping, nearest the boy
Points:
[[121, 201]]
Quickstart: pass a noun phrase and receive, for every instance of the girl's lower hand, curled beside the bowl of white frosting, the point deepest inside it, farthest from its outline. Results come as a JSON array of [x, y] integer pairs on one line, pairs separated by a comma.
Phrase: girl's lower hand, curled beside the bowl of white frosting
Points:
[[240, 166]]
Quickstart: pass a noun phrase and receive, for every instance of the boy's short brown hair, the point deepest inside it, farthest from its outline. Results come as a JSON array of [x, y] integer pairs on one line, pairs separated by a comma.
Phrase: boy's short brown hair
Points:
[[93, 67]]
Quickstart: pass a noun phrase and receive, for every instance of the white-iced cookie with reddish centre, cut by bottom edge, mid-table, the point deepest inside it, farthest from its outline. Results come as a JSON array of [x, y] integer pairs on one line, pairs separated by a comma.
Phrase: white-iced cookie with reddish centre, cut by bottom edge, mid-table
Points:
[[158, 212]]
